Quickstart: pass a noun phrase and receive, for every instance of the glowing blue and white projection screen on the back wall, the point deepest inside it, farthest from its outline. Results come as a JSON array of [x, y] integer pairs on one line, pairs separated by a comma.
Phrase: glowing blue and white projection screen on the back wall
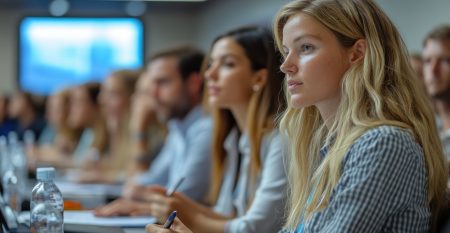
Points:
[[59, 52]]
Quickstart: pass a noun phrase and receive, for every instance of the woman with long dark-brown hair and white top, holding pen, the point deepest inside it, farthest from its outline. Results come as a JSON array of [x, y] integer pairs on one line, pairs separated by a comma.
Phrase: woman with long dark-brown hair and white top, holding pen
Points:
[[248, 182]]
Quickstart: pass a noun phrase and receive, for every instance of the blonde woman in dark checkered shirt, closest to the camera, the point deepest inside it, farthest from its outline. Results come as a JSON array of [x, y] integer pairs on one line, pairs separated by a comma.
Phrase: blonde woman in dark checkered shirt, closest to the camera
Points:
[[365, 155]]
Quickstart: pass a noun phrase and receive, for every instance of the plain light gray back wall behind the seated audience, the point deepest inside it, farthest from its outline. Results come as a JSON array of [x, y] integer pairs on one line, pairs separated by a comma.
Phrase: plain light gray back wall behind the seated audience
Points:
[[166, 27]]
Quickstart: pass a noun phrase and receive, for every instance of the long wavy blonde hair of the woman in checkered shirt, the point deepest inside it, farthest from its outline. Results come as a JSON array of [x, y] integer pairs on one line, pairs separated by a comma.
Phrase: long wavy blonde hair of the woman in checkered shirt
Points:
[[380, 90]]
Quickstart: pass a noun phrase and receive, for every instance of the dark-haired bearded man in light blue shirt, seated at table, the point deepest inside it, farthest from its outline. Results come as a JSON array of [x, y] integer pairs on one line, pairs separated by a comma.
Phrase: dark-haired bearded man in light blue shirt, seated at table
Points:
[[176, 91]]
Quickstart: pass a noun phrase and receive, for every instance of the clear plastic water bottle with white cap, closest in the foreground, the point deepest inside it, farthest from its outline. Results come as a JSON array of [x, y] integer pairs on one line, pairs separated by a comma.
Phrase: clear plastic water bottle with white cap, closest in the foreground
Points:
[[47, 206]]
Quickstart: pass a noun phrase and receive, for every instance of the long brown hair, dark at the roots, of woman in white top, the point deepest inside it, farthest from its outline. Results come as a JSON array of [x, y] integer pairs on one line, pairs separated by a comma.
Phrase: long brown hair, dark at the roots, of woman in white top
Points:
[[263, 106]]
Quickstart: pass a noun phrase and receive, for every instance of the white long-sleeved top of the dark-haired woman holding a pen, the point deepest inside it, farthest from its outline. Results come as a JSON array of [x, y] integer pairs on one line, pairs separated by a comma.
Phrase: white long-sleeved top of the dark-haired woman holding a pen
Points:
[[265, 213]]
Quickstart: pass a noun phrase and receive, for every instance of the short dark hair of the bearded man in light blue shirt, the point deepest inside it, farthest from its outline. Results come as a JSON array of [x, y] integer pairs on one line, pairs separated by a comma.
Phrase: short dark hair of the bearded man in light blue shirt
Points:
[[189, 59]]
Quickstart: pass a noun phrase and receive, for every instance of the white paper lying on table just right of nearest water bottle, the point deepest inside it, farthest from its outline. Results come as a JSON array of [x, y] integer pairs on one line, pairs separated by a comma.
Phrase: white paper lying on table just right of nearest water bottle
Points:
[[87, 217]]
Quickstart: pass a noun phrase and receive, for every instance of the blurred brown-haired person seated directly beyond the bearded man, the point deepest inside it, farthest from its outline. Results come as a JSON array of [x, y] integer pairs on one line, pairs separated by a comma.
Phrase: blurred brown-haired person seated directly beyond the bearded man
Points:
[[115, 103]]
